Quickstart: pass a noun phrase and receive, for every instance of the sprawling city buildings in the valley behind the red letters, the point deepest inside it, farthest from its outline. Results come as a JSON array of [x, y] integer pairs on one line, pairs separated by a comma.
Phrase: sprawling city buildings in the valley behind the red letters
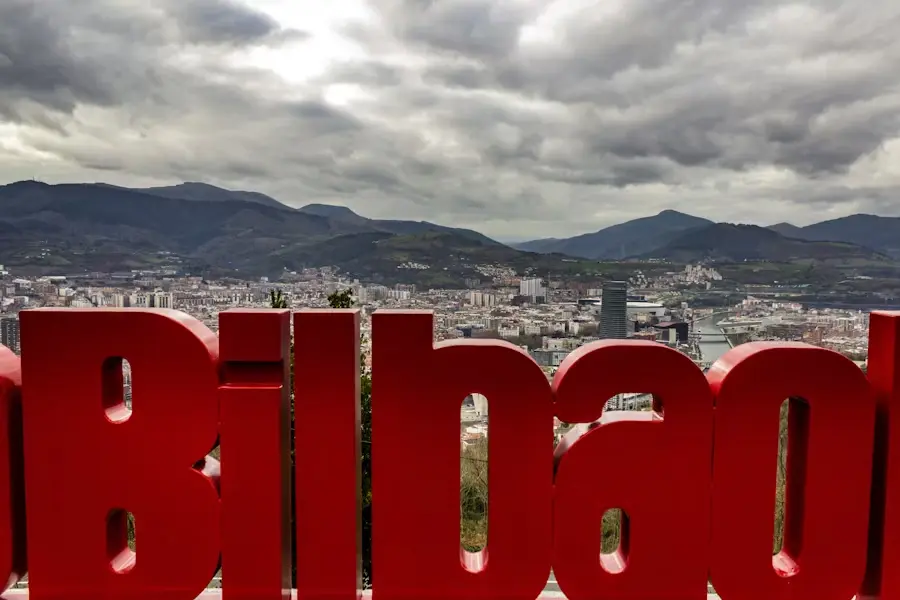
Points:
[[545, 317]]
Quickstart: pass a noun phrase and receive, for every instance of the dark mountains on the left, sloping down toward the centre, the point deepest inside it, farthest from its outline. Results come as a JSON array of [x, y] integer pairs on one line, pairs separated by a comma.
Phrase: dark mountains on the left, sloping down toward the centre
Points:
[[71, 228]]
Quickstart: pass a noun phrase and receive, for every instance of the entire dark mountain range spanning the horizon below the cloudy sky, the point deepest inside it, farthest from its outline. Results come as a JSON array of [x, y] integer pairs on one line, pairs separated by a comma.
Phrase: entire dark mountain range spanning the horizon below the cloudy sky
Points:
[[71, 228]]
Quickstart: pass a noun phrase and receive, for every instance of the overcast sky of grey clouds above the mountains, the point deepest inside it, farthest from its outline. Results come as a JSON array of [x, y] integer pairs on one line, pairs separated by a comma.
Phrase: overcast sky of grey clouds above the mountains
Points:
[[520, 118]]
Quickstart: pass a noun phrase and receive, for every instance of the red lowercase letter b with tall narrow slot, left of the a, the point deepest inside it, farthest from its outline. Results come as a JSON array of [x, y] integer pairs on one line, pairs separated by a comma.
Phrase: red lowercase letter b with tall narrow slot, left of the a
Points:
[[417, 392]]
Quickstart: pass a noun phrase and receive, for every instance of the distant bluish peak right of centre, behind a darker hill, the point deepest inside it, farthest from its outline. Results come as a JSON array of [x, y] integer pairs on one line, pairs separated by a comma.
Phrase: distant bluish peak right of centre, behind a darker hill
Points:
[[617, 242]]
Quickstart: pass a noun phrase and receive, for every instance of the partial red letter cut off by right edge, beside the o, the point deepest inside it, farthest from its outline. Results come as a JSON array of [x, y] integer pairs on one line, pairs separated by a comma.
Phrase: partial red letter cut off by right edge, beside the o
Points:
[[882, 575]]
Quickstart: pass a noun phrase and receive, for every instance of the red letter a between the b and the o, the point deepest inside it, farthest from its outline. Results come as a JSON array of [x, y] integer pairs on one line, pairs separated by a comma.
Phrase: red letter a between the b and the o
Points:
[[656, 467]]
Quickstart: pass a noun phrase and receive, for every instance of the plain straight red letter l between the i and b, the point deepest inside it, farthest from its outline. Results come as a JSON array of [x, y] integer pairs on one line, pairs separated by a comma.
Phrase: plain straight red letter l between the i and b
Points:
[[327, 445]]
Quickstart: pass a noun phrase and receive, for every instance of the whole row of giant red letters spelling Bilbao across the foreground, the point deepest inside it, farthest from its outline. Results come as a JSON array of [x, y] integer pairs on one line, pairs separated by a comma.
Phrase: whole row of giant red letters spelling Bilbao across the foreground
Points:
[[697, 481]]
